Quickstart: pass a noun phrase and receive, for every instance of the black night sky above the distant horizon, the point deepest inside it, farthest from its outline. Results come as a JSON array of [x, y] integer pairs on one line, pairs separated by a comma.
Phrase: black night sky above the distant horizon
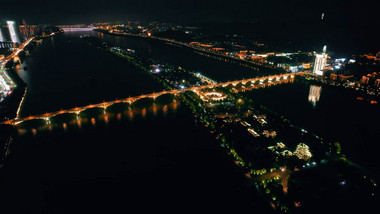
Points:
[[186, 11]]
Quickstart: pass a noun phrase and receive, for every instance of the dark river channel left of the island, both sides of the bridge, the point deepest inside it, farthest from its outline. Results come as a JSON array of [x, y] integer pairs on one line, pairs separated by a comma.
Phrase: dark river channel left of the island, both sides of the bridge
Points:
[[148, 162]]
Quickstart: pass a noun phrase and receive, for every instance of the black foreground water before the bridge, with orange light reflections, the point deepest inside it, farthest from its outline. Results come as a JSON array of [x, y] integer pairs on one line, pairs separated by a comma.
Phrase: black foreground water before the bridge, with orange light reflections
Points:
[[146, 162]]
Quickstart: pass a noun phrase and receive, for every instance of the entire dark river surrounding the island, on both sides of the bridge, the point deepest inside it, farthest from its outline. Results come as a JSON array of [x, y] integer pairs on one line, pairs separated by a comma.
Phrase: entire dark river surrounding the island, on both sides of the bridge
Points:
[[137, 160]]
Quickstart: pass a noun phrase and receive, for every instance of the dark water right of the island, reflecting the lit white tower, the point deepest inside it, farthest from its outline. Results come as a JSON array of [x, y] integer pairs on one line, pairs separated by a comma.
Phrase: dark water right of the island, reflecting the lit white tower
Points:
[[337, 116]]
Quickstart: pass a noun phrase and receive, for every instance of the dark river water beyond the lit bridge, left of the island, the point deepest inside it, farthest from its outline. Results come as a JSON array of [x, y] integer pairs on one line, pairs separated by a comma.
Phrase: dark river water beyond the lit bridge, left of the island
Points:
[[65, 72]]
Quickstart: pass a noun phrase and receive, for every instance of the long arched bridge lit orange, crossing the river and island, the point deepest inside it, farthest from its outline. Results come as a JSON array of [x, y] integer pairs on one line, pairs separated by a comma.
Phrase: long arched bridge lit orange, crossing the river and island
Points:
[[263, 81]]
